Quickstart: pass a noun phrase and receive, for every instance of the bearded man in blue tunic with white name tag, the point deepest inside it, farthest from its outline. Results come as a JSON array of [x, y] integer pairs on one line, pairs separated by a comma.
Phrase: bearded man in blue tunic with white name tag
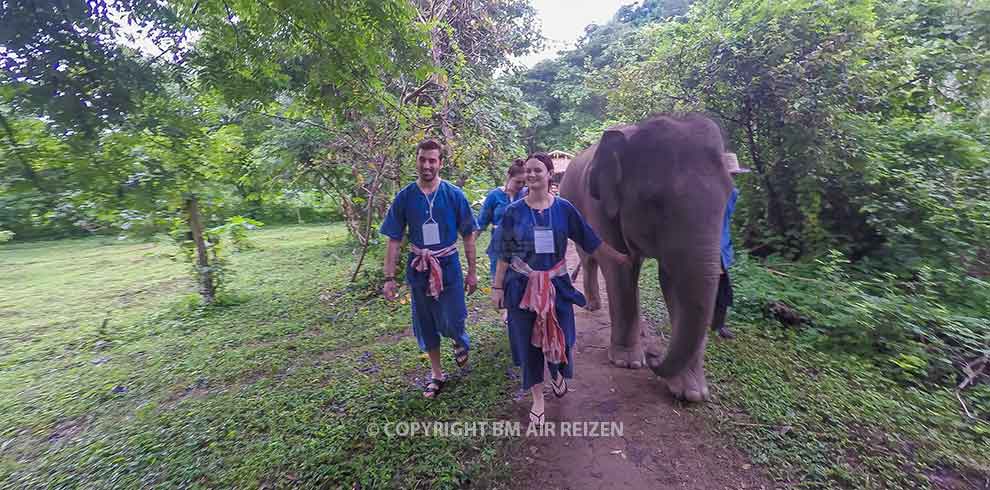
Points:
[[434, 212]]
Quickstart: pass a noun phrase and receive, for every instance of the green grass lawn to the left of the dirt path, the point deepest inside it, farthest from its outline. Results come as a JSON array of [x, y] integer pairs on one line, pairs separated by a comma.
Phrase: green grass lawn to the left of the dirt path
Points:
[[272, 387]]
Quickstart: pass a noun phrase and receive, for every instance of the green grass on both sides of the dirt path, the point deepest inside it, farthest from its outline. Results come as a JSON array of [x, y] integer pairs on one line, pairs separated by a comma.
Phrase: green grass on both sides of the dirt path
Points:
[[112, 375]]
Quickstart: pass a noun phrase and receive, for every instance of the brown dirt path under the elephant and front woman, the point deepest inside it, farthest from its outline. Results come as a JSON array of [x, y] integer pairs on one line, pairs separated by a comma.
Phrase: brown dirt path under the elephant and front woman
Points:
[[663, 445]]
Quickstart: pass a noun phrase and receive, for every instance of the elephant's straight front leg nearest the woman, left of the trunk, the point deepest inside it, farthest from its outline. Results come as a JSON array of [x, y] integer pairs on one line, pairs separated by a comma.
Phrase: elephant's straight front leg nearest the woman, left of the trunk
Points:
[[622, 284]]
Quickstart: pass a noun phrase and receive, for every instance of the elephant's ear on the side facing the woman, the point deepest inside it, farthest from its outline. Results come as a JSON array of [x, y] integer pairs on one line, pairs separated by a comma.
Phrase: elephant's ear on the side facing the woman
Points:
[[606, 167]]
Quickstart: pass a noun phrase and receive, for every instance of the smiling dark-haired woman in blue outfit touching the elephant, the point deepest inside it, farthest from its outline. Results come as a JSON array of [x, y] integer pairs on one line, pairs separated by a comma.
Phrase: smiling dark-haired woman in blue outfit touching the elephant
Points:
[[532, 282]]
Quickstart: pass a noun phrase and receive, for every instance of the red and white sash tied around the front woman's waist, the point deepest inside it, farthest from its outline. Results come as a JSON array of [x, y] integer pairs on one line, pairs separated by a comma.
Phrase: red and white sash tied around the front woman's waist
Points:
[[539, 297]]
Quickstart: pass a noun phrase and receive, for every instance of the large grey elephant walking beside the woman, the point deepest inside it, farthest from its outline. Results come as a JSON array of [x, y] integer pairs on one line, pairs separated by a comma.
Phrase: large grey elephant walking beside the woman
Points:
[[656, 189]]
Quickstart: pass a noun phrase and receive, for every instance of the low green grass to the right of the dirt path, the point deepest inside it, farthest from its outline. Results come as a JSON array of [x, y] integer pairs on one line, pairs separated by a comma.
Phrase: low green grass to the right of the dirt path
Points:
[[820, 419]]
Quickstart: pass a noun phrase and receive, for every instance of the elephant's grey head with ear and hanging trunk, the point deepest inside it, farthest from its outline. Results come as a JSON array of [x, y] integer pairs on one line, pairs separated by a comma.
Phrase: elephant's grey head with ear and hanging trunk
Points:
[[663, 187]]
